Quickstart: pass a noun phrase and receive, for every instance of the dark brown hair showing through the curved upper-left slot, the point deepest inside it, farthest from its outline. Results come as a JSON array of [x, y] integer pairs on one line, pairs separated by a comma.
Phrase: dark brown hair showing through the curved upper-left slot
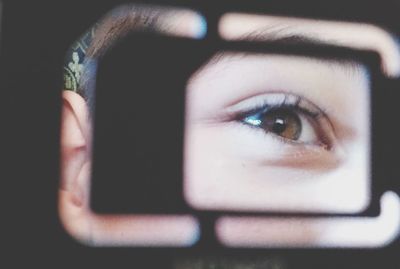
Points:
[[113, 27]]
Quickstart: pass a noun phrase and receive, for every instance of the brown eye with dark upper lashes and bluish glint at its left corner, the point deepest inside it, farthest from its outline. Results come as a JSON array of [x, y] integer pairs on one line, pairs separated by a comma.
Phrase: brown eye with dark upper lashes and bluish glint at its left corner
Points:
[[294, 120]]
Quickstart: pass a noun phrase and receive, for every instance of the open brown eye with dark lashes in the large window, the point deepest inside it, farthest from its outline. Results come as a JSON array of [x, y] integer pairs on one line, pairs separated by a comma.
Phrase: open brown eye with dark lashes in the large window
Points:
[[290, 118]]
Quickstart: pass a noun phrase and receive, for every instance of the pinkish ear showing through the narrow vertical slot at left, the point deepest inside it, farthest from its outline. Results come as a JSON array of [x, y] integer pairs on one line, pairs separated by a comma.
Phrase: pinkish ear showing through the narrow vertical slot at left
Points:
[[75, 165]]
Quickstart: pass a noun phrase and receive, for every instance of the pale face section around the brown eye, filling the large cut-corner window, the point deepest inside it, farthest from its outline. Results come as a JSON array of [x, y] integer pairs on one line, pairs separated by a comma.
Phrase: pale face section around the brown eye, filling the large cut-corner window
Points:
[[276, 132]]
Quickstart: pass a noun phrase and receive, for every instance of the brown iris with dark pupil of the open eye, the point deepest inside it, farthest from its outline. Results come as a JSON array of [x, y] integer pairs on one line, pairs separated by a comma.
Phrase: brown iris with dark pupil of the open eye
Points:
[[282, 122]]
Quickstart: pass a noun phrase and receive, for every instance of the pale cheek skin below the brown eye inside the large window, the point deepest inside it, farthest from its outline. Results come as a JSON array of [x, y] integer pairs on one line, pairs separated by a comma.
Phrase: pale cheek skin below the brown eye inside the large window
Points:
[[223, 171]]
